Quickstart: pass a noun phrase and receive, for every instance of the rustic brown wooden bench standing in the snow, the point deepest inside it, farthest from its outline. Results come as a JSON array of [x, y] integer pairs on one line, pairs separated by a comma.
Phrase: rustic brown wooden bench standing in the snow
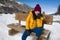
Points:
[[20, 28]]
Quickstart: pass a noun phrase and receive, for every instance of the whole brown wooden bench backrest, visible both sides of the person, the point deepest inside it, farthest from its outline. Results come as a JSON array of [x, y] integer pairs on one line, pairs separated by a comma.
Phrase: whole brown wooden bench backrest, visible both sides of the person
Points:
[[22, 17]]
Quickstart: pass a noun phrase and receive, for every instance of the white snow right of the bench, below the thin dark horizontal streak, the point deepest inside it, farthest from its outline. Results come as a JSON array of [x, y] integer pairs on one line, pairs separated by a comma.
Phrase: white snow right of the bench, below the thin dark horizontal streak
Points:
[[54, 28]]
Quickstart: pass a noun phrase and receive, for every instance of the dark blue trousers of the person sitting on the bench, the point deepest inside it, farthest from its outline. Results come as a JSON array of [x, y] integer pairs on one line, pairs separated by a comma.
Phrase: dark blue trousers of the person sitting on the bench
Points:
[[38, 32]]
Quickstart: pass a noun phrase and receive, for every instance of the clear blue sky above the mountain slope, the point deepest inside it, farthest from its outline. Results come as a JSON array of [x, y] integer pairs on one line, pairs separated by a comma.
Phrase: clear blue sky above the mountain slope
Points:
[[49, 6]]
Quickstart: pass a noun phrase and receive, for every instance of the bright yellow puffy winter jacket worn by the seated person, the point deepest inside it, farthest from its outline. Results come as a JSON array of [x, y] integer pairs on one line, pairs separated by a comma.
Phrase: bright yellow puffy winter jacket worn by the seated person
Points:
[[31, 23]]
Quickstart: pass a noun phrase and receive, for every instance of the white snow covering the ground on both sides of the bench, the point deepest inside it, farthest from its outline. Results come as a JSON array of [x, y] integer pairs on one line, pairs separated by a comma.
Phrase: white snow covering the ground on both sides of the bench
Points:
[[9, 18]]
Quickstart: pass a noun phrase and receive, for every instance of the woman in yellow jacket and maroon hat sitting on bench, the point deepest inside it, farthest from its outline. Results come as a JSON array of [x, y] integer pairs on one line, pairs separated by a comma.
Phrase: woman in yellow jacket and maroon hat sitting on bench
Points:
[[34, 23]]
